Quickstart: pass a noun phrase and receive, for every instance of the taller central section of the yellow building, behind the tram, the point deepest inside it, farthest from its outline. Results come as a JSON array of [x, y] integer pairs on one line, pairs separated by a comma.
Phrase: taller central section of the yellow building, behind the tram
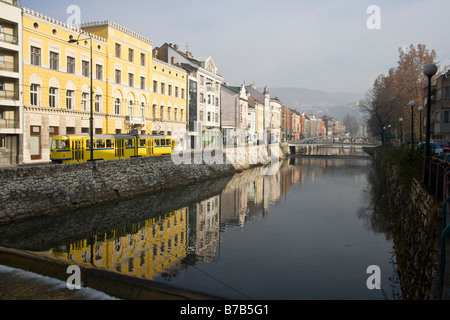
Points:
[[129, 57]]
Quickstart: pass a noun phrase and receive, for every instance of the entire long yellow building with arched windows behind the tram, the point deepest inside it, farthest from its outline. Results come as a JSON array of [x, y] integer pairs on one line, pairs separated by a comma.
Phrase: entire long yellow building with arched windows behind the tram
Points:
[[133, 92]]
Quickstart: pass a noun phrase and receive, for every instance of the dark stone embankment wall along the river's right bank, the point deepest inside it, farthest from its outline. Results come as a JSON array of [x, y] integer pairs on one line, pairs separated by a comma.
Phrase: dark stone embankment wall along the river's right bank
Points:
[[415, 227]]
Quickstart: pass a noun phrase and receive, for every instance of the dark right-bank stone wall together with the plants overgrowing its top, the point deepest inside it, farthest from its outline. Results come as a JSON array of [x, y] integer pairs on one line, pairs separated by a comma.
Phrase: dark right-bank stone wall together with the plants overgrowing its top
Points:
[[414, 215]]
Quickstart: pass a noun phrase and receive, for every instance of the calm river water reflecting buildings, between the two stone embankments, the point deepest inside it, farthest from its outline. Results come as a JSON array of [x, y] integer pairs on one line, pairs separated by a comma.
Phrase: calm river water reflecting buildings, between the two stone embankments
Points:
[[309, 231]]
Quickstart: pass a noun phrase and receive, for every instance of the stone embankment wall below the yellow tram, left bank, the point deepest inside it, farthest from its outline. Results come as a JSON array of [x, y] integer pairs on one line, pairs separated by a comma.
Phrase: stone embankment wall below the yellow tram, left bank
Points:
[[38, 190]]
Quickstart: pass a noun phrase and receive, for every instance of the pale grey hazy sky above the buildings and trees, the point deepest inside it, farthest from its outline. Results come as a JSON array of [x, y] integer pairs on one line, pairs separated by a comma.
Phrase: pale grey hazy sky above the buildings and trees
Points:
[[322, 45]]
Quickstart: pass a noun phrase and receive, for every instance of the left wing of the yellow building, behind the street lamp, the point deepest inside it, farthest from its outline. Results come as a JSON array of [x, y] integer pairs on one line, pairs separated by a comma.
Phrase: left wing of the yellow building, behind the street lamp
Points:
[[56, 83]]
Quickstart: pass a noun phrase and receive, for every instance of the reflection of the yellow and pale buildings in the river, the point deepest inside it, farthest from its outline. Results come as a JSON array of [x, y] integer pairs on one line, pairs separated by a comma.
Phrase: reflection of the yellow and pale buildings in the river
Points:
[[163, 246]]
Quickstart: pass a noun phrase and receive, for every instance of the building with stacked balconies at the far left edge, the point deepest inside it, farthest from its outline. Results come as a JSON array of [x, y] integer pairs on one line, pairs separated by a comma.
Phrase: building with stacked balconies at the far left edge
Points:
[[11, 102]]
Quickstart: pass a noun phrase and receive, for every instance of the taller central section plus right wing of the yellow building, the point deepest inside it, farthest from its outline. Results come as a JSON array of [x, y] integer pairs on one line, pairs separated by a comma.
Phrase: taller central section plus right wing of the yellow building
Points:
[[151, 94]]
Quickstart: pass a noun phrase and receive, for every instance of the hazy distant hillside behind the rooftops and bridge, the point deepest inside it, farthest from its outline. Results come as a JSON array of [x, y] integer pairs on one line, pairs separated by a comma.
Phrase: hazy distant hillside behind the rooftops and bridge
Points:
[[319, 103]]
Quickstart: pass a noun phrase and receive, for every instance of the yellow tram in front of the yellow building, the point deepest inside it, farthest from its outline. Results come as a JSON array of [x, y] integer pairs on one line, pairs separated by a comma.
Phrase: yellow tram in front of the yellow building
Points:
[[76, 148]]
